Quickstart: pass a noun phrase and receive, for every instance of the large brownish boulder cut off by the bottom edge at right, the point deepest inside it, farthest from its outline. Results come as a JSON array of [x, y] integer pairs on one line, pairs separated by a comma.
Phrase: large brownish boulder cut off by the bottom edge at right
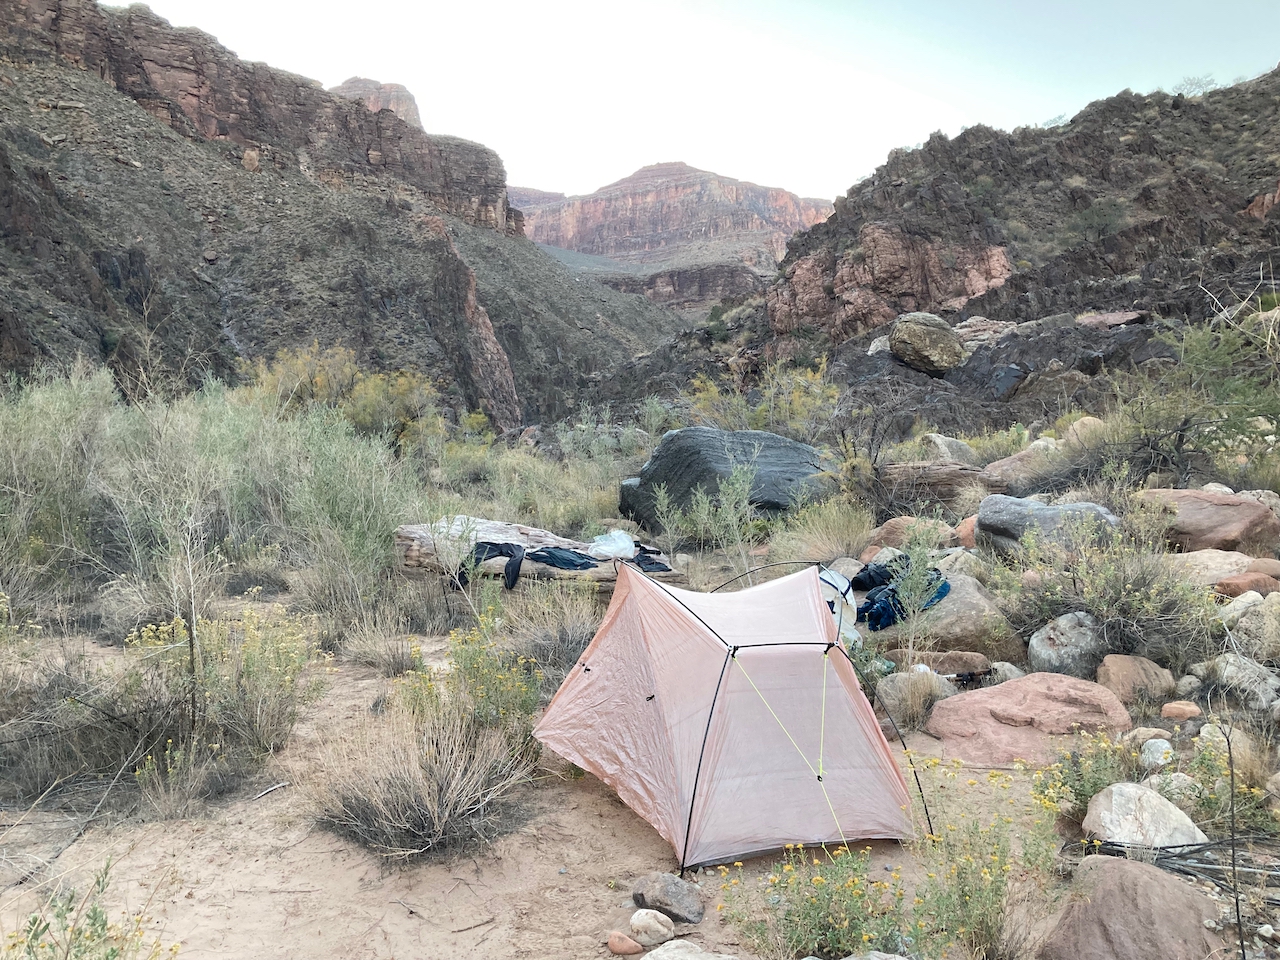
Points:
[[1130, 911]]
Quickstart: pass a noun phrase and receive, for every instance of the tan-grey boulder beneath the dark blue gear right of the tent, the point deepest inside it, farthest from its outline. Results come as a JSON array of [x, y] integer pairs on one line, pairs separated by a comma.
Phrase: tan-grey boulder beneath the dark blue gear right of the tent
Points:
[[967, 619]]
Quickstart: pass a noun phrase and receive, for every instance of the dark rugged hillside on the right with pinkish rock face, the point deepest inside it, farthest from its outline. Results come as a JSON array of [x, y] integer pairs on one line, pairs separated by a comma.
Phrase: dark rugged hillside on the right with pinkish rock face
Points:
[[1128, 207]]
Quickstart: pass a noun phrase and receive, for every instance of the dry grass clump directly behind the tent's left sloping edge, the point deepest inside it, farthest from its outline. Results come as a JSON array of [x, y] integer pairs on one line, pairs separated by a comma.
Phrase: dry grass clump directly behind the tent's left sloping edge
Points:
[[552, 624]]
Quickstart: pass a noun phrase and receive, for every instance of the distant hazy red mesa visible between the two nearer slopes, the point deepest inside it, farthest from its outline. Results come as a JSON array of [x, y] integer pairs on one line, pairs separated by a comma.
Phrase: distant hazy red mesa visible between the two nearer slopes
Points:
[[678, 235]]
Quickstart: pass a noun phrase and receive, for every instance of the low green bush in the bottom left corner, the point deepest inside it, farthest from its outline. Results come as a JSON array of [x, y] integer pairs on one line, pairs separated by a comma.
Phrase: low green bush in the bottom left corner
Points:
[[79, 927]]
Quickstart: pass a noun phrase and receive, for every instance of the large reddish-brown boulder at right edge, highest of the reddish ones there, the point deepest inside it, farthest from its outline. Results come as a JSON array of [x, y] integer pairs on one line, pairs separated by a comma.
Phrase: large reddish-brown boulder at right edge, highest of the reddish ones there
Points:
[[1205, 520]]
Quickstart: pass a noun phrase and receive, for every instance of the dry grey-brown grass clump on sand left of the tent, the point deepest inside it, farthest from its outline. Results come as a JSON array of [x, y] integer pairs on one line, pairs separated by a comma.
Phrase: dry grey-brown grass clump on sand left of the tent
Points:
[[412, 784]]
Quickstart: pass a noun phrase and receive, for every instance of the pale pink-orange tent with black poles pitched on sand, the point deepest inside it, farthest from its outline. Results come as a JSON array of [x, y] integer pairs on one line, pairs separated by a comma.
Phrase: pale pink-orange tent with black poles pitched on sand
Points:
[[732, 723]]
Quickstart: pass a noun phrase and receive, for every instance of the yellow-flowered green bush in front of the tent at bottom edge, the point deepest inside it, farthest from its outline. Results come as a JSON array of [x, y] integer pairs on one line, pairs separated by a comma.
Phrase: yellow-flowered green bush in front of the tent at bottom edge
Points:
[[819, 904]]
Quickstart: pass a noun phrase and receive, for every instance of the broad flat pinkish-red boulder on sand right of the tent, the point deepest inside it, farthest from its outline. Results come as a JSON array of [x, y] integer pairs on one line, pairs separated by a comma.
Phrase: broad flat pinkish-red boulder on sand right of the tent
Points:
[[1023, 719]]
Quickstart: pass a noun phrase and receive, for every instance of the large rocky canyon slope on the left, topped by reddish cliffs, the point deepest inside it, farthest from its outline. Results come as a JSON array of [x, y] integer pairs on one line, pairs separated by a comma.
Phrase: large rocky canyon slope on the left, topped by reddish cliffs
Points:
[[167, 207]]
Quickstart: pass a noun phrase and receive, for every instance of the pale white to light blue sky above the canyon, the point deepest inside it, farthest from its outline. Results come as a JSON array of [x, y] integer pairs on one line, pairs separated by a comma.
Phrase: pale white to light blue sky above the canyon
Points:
[[810, 95]]
